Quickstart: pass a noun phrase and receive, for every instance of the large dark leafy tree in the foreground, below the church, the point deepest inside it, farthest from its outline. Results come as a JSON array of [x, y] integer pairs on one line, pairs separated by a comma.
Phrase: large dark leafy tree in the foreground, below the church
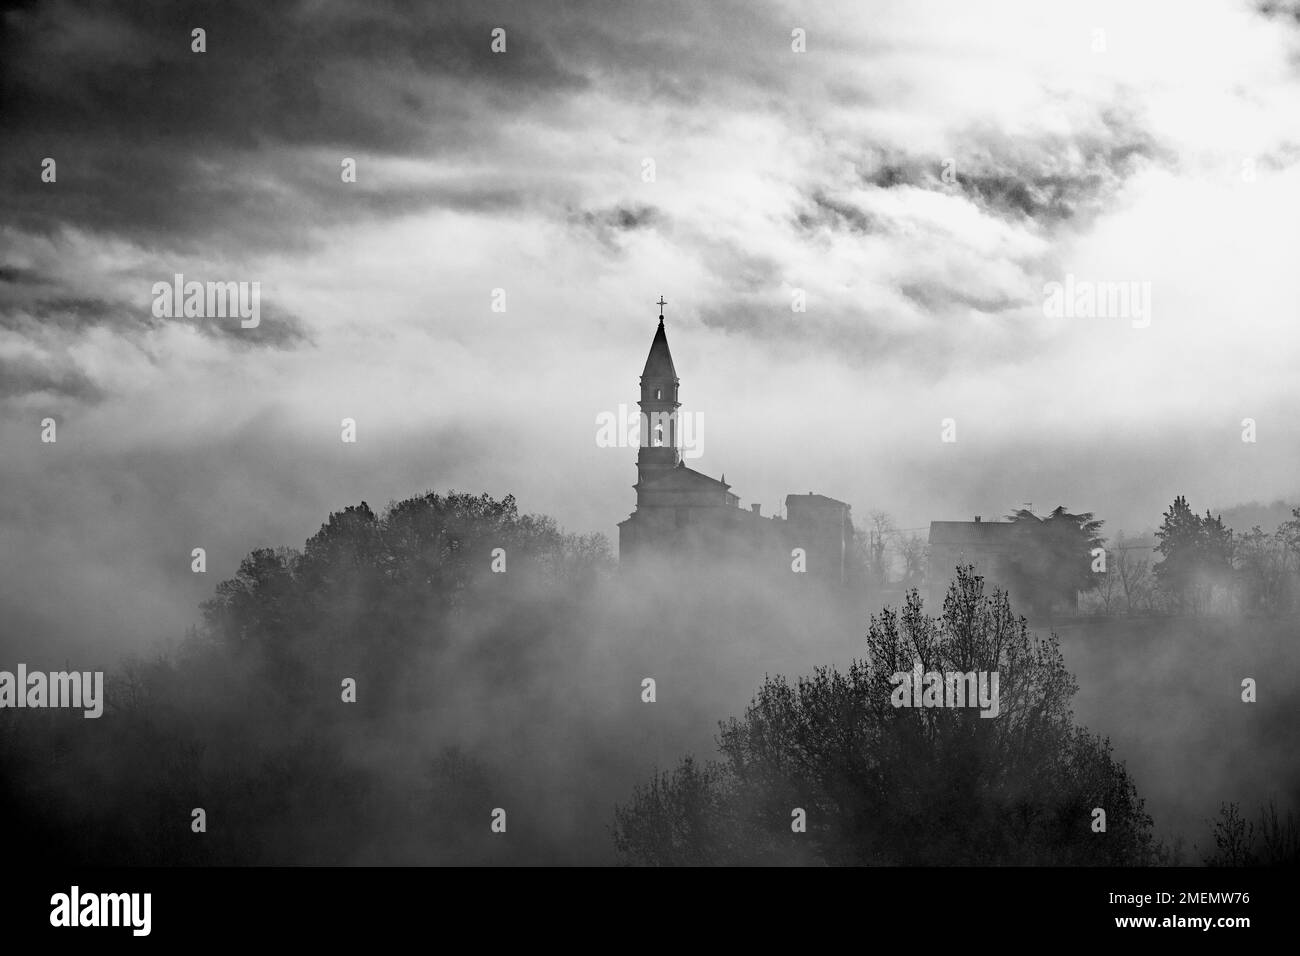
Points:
[[903, 786]]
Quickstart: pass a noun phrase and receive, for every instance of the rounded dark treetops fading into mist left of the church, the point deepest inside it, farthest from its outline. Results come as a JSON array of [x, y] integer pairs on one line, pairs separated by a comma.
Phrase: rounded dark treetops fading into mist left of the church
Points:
[[370, 594]]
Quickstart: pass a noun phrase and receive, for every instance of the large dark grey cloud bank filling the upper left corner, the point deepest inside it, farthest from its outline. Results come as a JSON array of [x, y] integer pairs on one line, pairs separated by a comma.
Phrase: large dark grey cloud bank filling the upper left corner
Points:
[[180, 149]]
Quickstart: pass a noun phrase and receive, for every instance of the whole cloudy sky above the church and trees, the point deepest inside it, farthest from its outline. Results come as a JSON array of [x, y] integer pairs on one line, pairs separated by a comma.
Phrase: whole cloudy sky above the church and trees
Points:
[[1155, 142]]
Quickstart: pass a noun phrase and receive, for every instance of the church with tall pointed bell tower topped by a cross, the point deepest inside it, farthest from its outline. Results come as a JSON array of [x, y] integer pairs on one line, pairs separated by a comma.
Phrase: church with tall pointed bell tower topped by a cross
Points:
[[683, 514]]
